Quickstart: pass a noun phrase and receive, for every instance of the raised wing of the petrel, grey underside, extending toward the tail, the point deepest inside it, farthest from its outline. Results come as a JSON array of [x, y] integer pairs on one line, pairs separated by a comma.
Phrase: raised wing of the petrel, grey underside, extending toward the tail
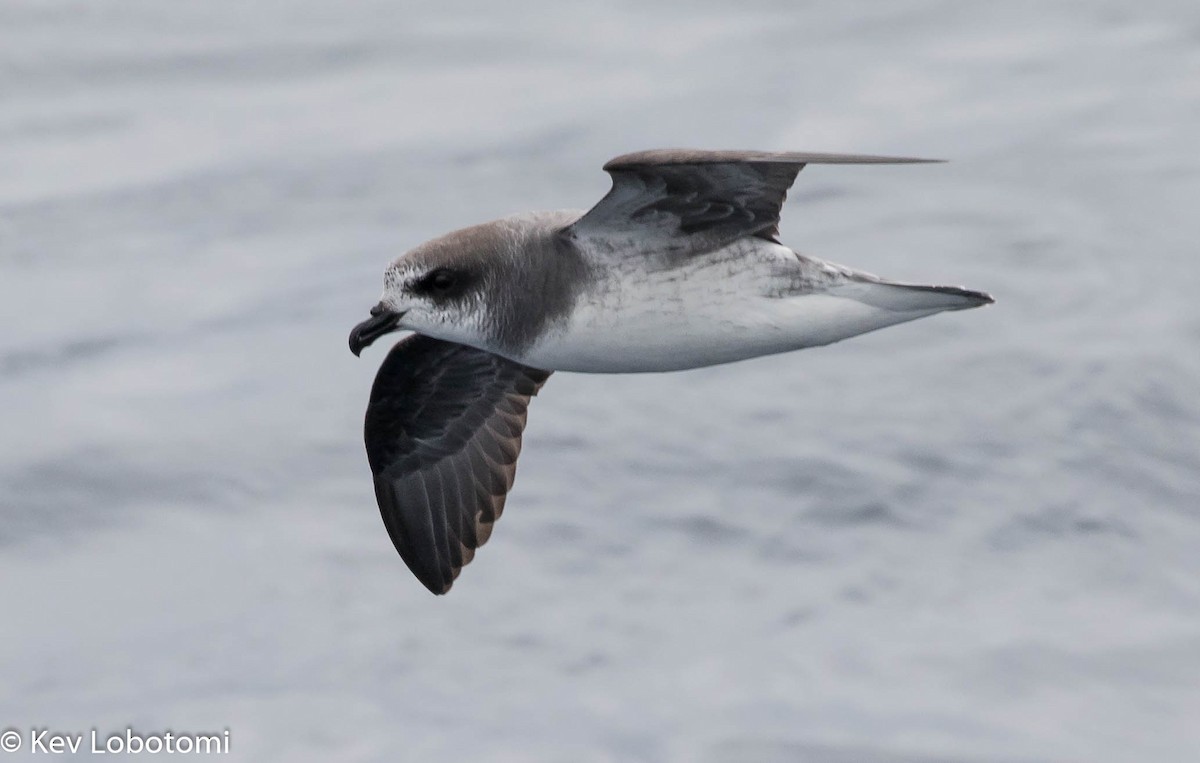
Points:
[[681, 202]]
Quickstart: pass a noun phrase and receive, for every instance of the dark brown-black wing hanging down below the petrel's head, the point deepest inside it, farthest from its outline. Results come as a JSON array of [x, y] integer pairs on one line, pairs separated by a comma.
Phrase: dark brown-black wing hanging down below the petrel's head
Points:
[[443, 431]]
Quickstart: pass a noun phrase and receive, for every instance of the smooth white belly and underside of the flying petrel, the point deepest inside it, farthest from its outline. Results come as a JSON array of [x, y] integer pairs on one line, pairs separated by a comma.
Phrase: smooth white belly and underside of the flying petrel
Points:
[[751, 299]]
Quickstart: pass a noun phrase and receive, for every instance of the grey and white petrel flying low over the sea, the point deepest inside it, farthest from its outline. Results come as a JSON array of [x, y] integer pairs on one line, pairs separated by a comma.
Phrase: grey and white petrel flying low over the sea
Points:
[[679, 267]]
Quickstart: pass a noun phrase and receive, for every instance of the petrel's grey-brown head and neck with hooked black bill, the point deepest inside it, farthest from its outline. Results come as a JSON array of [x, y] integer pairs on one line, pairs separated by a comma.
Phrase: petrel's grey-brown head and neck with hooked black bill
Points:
[[488, 286]]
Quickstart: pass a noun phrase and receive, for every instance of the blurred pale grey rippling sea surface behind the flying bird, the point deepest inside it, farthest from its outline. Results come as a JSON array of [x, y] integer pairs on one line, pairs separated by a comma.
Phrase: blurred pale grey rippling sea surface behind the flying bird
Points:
[[975, 538]]
